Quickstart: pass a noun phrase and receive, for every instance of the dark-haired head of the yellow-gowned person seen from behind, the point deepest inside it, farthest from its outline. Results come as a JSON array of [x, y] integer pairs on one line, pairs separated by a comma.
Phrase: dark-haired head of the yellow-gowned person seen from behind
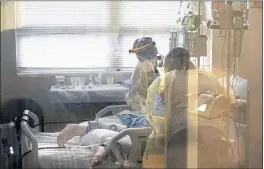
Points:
[[178, 59]]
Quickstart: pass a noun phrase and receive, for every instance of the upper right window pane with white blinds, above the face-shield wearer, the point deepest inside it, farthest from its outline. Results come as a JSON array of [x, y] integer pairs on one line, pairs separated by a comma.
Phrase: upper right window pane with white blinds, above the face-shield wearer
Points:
[[149, 13]]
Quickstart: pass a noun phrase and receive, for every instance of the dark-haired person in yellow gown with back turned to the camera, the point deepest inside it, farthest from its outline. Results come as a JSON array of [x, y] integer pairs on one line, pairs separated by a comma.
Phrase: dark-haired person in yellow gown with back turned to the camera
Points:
[[178, 71]]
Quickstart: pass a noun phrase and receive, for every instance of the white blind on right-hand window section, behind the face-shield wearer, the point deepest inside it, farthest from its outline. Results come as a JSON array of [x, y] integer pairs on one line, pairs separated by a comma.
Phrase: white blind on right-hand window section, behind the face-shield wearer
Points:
[[146, 18]]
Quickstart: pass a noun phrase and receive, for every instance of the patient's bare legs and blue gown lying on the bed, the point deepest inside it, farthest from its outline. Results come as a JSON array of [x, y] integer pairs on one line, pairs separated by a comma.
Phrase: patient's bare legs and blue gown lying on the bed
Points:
[[96, 134]]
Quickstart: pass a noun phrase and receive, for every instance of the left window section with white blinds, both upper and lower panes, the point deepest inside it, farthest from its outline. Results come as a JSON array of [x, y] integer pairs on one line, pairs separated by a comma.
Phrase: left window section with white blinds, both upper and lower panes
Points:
[[63, 35]]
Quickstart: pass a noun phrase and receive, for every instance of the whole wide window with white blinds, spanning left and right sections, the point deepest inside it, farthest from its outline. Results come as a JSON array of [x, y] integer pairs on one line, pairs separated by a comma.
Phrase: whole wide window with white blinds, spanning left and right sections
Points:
[[67, 36]]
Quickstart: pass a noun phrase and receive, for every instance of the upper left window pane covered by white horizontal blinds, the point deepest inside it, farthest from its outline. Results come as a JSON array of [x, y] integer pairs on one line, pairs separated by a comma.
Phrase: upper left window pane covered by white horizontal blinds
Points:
[[63, 13]]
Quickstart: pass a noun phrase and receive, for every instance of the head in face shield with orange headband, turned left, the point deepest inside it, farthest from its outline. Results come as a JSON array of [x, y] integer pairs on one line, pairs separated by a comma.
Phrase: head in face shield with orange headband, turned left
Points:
[[146, 52]]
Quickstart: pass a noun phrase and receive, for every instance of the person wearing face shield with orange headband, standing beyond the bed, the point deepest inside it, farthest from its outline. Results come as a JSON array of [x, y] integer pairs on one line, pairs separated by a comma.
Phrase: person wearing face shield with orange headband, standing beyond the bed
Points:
[[145, 73]]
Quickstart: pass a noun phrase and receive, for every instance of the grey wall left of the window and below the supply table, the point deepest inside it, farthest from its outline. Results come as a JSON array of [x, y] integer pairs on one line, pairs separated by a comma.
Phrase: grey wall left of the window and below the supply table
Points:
[[36, 88]]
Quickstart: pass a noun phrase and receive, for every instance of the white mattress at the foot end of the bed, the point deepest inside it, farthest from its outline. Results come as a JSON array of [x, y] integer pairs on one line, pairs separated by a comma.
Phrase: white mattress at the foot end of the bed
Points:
[[73, 156]]
